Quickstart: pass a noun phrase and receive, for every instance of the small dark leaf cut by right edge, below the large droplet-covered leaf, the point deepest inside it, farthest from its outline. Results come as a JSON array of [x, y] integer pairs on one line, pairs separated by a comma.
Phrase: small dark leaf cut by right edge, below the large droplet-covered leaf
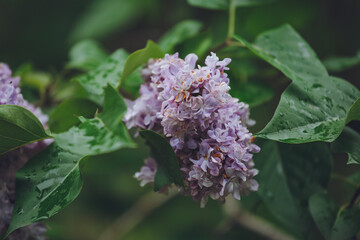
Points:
[[348, 142]]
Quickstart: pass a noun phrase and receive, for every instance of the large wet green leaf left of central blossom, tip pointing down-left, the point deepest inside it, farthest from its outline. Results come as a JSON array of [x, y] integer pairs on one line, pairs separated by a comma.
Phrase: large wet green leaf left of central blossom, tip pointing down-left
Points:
[[52, 179]]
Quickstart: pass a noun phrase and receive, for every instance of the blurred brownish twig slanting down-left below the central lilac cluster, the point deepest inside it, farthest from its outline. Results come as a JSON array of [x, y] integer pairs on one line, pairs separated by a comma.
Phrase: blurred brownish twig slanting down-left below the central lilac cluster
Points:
[[140, 210]]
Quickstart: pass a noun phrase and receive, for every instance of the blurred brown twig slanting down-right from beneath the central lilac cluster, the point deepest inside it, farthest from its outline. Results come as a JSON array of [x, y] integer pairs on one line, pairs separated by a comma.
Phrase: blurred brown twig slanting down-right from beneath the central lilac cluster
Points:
[[253, 223]]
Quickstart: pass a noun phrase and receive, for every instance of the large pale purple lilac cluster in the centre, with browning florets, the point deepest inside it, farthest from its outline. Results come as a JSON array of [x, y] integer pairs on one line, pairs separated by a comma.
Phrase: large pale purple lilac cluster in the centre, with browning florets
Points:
[[206, 127]]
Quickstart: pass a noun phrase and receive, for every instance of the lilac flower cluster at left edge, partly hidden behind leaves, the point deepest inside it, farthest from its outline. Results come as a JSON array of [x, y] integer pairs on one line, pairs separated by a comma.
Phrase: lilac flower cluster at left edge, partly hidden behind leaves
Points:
[[12, 161]]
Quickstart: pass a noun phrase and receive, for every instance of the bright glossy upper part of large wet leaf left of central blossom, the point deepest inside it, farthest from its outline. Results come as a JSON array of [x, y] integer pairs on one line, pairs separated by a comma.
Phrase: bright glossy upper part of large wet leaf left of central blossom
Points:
[[103, 134]]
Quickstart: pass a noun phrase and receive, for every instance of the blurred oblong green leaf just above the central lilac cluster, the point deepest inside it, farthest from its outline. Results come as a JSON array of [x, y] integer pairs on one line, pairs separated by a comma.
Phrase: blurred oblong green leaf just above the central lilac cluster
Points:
[[179, 33]]
